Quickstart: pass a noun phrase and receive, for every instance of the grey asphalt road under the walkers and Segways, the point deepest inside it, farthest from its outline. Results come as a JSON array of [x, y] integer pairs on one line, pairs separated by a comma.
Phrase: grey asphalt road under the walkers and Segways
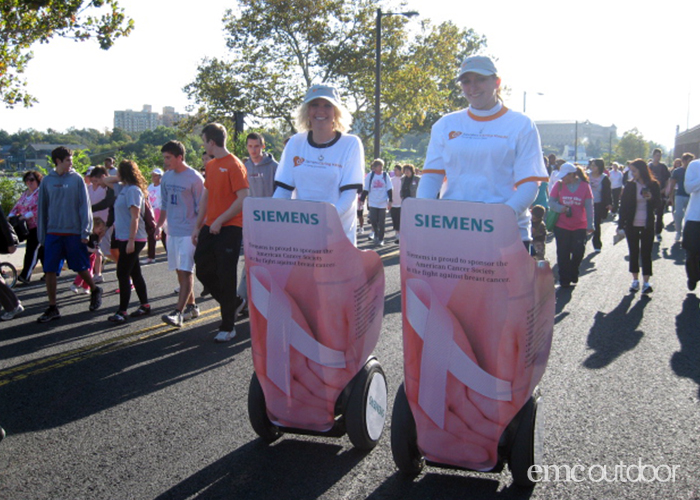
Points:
[[144, 411]]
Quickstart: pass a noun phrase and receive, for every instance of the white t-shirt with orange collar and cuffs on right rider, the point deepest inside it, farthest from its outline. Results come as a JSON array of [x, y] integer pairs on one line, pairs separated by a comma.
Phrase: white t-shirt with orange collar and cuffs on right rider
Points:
[[485, 158]]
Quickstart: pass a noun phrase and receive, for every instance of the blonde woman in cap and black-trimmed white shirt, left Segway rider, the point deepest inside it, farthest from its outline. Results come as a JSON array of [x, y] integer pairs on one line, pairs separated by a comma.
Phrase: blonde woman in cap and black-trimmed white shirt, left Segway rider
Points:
[[310, 161]]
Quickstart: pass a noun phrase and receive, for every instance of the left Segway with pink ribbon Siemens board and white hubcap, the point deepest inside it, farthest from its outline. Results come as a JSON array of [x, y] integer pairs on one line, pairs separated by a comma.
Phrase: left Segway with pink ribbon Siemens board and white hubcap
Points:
[[316, 304]]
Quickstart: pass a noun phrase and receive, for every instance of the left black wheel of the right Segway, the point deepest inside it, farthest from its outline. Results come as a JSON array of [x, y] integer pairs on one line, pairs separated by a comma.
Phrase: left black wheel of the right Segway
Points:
[[404, 438]]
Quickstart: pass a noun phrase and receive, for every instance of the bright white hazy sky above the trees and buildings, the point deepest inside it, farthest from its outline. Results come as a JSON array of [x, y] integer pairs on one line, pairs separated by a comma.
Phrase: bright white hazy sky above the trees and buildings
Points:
[[631, 64]]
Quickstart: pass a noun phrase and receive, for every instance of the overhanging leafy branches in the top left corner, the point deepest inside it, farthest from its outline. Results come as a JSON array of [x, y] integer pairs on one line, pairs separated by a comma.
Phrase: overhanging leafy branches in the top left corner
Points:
[[23, 23]]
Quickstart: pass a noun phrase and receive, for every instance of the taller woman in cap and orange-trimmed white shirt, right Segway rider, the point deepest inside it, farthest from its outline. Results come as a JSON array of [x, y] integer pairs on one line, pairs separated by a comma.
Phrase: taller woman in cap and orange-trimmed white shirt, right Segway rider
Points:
[[486, 153]]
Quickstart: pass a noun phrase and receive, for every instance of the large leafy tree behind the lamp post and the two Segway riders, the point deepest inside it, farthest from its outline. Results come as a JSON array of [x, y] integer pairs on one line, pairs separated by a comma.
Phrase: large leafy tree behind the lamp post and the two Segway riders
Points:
[[278, 52]]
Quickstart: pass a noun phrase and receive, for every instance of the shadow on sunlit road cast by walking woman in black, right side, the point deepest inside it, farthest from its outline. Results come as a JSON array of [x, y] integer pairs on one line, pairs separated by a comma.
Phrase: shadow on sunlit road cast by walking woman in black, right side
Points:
[[615, 333]]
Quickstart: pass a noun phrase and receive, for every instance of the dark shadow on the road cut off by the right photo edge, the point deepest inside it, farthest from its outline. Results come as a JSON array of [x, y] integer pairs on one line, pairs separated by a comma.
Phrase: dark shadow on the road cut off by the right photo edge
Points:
[[685, 362]]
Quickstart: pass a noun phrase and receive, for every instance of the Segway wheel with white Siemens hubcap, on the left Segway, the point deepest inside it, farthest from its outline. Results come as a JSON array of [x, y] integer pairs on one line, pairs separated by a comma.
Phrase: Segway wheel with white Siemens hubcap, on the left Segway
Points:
[[365, 413]]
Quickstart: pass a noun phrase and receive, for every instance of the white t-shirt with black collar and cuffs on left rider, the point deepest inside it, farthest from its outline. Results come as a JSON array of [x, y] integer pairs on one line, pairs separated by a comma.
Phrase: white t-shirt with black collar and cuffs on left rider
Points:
[[321, 172]]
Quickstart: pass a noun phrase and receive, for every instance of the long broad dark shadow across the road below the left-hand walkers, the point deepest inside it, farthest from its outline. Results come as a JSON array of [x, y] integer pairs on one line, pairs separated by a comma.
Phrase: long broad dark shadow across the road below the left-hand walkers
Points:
[[89, 381]]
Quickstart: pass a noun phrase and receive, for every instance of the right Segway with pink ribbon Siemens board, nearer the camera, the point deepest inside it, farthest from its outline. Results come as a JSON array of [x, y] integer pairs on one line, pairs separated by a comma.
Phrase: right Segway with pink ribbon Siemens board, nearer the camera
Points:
[[478, 318]]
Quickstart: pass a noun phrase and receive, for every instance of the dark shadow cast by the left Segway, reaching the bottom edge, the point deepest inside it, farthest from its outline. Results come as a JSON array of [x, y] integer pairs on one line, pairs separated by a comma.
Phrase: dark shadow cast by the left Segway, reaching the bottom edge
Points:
[[286, 469]]
